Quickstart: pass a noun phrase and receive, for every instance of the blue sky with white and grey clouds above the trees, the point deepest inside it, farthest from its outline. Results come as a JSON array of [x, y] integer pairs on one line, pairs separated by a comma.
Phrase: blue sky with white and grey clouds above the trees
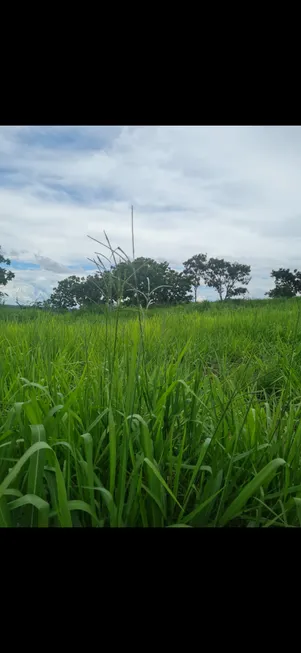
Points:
[[233, 192]]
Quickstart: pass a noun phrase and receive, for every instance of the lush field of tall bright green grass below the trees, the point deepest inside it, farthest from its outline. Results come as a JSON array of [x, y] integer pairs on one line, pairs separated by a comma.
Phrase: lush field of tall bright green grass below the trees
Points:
[[175, 418]]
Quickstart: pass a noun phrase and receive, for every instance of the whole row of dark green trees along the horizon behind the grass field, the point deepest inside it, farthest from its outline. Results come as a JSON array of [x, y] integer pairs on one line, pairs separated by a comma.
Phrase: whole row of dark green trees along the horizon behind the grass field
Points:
[[144, 282]]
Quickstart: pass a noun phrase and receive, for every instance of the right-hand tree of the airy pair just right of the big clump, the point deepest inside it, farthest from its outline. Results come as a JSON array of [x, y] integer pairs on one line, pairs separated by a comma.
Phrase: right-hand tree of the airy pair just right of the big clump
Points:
[[224, 276]]
